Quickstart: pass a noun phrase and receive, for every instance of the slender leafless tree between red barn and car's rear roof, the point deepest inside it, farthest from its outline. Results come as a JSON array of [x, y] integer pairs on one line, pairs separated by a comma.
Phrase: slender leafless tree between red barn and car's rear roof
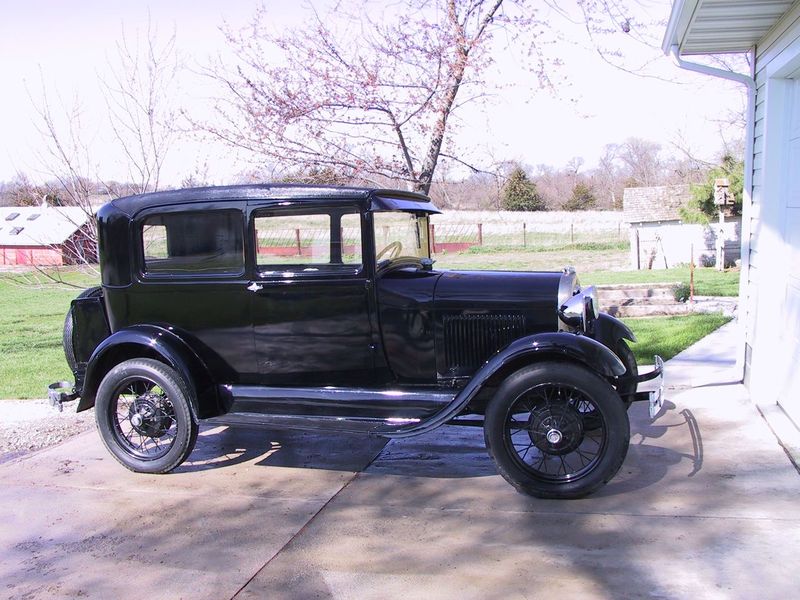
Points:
[[142, 121]]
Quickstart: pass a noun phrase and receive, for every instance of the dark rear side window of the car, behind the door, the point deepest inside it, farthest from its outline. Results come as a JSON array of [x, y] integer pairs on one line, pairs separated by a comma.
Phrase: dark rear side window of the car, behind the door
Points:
[[186, 243]]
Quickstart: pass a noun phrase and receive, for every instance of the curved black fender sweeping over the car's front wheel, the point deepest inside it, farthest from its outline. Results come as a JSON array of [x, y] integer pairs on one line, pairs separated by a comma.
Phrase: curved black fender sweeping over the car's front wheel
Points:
[[571, 346]]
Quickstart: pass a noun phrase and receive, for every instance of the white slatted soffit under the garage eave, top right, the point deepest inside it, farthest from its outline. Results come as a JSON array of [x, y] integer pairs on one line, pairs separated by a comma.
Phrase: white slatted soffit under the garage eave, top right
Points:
[[721, 26]]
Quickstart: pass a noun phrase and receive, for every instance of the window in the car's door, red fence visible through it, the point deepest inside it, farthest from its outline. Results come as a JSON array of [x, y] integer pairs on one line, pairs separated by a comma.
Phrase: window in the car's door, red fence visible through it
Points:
[[312, 242]]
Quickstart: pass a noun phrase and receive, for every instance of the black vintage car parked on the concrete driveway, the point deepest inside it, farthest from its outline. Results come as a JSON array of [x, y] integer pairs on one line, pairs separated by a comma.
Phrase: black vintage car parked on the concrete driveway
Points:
[[319, 308]]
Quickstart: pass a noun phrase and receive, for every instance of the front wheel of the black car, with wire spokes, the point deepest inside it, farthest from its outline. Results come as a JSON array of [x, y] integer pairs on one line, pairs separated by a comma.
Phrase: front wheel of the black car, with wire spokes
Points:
[[537, 430]]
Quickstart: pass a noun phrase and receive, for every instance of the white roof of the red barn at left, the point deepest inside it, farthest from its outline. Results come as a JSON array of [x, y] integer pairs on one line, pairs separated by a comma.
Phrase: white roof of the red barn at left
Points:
[[53, 225]]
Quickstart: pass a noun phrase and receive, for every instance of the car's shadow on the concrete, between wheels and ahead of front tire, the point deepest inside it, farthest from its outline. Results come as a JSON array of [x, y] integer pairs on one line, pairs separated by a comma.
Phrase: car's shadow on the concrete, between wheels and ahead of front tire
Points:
[[447, 452]]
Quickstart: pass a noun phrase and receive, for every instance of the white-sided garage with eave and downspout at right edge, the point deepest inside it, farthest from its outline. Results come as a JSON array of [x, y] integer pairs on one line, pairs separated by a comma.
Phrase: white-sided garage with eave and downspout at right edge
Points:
[[770, 279]]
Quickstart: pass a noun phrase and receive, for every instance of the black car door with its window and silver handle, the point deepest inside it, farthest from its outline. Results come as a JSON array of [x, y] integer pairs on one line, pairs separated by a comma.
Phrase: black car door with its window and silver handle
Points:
[[312, 300]]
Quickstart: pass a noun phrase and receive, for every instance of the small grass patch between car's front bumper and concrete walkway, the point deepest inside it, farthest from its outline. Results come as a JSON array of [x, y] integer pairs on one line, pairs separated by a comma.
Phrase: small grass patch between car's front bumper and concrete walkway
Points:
[[667, 336]]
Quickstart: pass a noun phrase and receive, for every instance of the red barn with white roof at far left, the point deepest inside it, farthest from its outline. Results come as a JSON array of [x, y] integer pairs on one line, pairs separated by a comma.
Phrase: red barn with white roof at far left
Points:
[[46, 236]]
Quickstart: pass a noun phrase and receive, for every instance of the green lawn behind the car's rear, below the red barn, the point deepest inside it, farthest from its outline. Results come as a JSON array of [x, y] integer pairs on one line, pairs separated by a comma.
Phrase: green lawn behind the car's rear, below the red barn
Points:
[[31, 328]]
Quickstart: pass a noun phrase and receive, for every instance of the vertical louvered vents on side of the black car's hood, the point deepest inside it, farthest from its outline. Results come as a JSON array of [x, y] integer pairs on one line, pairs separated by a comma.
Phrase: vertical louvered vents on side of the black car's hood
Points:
[[469, 340]]
